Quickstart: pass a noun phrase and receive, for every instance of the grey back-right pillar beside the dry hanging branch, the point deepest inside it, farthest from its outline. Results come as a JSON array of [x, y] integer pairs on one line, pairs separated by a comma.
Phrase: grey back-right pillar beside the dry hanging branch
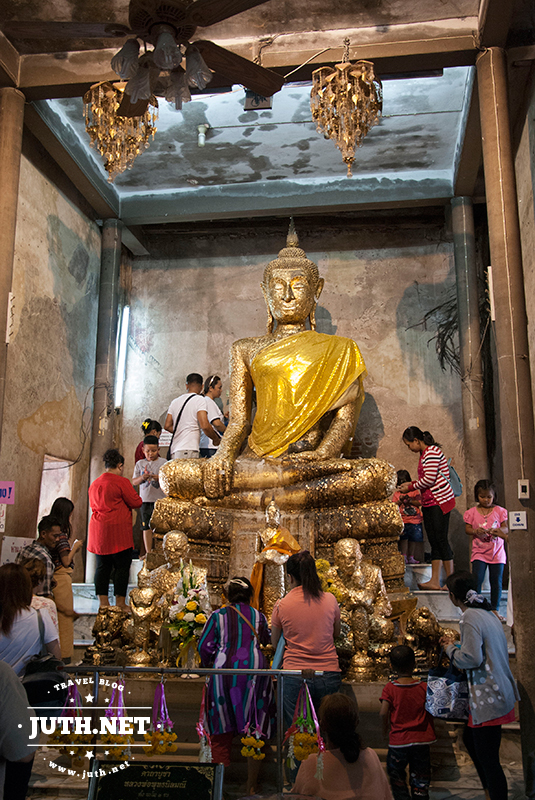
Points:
[[474, 438]]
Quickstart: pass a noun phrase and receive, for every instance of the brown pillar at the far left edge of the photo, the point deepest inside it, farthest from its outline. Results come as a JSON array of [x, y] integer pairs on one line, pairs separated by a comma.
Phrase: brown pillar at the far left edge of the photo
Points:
[[11, 121]]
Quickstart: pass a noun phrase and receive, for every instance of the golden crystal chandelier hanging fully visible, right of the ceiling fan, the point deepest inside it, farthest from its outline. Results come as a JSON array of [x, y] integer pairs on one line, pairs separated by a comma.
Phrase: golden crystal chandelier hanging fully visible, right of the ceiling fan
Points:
[[346, 101]]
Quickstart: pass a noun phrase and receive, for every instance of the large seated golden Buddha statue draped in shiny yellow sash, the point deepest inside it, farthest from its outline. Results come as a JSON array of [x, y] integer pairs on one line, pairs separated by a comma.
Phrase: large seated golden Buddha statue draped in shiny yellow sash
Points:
[[309, 393]]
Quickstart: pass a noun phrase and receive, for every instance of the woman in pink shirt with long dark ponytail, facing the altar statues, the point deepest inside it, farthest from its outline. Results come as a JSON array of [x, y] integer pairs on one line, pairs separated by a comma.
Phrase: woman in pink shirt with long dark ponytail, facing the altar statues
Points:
[[309, 618]]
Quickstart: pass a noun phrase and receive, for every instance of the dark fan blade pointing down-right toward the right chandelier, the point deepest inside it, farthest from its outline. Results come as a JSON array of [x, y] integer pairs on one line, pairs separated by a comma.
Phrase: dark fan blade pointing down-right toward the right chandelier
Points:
[[240, 70]]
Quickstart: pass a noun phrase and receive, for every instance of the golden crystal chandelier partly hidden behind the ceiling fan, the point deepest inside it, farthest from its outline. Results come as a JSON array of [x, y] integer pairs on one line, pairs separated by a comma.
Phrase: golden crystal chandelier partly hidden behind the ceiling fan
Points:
[[119, 139]]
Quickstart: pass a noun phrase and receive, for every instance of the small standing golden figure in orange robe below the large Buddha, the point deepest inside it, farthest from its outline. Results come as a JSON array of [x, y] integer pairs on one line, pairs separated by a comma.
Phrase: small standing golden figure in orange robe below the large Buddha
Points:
[[268, 576]]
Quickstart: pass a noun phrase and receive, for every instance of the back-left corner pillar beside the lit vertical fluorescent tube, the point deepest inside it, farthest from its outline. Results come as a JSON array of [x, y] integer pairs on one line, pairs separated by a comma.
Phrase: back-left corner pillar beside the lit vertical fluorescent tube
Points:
[[103, 396]]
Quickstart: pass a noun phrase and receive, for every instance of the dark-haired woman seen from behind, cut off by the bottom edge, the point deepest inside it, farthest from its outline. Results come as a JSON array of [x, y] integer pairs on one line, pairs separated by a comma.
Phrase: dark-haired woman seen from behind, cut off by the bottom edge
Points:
[[350, 771]]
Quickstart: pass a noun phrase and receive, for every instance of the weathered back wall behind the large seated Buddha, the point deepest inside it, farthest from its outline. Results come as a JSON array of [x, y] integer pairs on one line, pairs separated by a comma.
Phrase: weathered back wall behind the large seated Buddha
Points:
[[198, 293]]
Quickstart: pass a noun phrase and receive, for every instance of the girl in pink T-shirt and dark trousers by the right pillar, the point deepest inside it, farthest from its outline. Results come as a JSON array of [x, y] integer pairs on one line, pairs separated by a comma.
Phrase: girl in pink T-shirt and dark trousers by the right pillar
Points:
[[486, 523]]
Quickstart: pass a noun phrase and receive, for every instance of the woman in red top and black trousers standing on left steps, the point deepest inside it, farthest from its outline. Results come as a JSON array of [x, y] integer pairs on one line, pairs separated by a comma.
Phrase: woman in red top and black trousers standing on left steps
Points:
[[112, 499]]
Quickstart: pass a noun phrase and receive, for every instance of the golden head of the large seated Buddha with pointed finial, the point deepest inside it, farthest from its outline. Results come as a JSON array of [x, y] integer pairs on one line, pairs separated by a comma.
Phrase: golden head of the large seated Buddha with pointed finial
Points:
[[291, 286]]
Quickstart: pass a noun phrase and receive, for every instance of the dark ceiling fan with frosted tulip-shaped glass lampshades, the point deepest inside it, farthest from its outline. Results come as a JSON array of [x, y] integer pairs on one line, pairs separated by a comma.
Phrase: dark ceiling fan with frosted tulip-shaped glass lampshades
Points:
[[169, 25]]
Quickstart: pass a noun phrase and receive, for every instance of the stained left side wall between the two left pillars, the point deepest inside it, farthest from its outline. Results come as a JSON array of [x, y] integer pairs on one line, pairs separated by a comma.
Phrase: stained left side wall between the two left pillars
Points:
[[51, 353]]
